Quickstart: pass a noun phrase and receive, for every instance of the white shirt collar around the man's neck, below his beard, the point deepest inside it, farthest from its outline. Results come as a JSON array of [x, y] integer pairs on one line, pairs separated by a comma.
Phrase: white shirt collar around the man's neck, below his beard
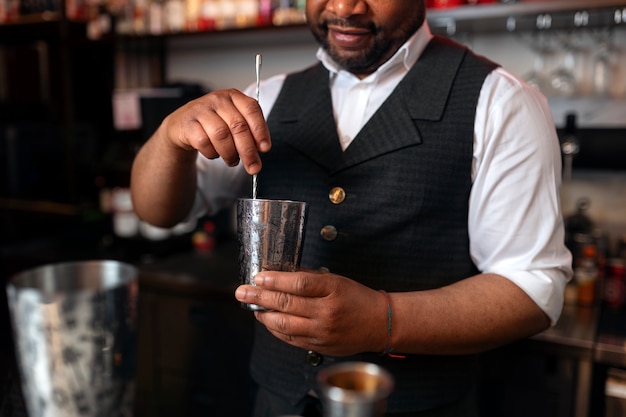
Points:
[[407, 55]]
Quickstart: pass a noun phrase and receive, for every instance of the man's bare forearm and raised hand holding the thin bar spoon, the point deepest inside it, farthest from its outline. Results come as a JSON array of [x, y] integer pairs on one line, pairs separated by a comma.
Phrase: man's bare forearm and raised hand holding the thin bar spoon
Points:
[[225, 124]]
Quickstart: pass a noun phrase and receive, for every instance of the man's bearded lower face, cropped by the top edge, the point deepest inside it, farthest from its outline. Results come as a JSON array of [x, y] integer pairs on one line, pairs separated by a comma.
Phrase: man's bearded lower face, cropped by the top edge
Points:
[[362, 34]]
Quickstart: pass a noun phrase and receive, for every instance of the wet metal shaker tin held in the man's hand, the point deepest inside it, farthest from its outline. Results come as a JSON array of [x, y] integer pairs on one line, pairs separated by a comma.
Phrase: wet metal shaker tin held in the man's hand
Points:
[[270, 235]]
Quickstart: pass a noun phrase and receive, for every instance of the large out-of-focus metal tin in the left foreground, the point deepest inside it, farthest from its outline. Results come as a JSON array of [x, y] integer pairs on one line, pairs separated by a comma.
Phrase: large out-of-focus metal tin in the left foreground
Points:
[[75, 333]]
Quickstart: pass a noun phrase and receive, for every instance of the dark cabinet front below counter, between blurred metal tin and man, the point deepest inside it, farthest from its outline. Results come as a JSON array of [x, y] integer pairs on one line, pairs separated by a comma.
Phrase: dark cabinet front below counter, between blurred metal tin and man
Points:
[[193, 357]]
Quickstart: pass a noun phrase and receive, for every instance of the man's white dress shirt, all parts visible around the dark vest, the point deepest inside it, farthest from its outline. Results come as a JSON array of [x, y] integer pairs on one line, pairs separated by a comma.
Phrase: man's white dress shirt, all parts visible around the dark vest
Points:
[[515, 221]]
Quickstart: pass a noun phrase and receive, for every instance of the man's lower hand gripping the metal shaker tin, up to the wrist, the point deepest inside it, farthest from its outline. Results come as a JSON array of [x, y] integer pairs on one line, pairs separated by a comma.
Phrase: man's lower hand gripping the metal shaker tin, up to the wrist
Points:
[[327, 313]]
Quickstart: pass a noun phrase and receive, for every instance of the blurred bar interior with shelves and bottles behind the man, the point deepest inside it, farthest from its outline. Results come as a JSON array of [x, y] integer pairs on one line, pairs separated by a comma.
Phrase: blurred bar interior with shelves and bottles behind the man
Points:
[[83, 83]]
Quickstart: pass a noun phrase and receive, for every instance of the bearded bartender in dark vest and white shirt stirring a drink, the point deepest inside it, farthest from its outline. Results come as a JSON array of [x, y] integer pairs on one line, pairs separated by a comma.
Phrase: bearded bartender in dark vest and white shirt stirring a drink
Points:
[[434, 229]]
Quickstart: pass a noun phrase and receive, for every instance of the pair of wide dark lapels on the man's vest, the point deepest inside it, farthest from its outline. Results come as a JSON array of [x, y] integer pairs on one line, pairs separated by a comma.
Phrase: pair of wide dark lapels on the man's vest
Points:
[[421, 95]]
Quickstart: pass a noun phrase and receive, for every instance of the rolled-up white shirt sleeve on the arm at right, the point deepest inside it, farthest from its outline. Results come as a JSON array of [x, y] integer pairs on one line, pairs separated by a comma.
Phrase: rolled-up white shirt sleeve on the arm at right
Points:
[[515, 221]]
